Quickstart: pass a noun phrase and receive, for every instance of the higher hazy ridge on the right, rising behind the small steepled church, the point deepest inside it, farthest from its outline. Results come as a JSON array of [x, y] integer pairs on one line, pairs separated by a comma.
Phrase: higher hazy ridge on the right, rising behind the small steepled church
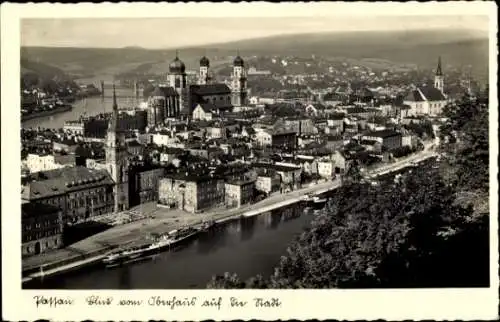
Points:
[[416, 47]]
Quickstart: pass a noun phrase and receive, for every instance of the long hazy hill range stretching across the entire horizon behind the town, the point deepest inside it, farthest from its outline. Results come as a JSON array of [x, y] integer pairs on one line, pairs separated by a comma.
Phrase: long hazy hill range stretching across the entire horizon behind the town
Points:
[[457, 47]]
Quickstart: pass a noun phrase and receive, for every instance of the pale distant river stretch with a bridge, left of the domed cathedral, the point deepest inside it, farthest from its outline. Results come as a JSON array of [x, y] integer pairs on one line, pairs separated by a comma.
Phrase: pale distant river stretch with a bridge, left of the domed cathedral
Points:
[[93, 106]]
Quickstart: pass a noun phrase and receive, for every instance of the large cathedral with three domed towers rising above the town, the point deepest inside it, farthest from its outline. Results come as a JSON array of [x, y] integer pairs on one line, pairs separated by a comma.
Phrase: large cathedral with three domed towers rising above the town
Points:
[[178, 99]]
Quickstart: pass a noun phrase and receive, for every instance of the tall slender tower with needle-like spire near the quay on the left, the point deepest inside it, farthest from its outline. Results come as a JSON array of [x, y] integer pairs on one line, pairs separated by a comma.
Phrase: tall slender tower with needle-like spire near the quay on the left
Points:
[[117, 159]]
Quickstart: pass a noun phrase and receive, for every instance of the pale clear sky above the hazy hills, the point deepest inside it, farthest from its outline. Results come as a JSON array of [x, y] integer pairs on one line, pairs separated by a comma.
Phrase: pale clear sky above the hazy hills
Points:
[[194, 31]]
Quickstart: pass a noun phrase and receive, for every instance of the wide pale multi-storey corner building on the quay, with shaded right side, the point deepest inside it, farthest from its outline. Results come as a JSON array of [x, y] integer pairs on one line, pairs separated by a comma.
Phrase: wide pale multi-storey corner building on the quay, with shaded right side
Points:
[[191, 192]]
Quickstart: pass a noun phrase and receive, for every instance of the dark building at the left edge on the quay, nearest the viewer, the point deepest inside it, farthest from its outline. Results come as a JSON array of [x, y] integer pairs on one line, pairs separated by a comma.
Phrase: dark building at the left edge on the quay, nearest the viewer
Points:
[[42, 228]]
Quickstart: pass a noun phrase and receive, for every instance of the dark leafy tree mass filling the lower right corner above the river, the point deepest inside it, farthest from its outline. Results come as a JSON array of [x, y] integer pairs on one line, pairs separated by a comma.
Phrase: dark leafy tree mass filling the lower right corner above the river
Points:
[[409, 233]]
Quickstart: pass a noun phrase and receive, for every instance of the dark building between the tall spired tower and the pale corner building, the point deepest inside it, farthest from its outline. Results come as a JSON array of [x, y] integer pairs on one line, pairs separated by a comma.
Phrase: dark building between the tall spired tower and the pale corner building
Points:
[[143, 183]]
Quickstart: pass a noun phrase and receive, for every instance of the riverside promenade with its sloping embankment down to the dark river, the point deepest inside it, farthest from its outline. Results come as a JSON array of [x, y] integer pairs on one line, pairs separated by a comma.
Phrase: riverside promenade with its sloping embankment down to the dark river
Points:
[[161, 220]]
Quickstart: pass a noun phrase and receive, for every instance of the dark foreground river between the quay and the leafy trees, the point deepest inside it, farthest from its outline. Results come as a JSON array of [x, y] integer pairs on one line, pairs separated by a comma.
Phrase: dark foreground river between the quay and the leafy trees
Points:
[[247, 246]]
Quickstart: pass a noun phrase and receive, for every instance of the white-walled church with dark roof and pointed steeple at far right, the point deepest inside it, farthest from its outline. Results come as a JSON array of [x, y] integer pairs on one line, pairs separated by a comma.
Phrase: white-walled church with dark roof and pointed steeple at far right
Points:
[[428, 100]]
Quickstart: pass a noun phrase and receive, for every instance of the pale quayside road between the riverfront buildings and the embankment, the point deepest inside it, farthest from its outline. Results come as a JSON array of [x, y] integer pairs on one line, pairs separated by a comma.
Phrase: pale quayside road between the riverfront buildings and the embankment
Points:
[[166, 220]]
